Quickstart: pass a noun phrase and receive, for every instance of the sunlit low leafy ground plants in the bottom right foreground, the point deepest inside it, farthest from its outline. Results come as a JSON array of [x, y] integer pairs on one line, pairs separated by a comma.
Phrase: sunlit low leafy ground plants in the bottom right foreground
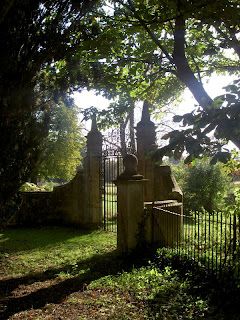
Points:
[[165, 294]]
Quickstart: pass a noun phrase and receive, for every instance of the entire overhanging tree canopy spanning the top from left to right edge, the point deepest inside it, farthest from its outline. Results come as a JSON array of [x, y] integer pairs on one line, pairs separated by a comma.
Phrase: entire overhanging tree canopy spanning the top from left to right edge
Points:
[[149, 50]]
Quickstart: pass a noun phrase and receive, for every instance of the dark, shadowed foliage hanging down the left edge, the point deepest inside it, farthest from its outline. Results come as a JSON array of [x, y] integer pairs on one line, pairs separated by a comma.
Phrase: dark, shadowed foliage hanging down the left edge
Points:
[[35, 36]]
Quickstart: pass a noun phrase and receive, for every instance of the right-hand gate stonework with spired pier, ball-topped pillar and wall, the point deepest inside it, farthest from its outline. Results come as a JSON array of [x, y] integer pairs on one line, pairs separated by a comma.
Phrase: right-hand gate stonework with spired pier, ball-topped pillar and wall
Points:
[[149, 198]]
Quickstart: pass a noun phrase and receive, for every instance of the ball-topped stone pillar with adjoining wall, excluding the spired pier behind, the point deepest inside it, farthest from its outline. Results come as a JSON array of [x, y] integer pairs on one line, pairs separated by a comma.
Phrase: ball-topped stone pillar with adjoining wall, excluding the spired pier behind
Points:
[[156, 222]]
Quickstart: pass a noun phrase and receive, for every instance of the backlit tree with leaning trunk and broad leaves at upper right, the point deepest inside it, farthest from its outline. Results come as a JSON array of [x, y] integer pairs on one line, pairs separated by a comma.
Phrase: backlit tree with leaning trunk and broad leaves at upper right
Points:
[[159, 48]]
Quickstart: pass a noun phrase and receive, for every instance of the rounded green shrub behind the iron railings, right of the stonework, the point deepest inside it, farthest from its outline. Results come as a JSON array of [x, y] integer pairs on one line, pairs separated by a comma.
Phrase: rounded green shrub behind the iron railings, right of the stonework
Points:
[[204, 185]]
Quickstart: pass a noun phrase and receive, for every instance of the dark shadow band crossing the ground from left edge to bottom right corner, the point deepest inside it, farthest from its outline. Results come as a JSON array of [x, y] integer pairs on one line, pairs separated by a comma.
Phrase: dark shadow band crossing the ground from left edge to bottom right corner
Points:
[[223, 300]]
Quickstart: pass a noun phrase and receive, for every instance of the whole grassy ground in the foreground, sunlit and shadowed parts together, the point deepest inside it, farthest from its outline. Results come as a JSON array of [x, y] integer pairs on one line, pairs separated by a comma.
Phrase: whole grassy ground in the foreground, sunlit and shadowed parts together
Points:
[[62, 273]]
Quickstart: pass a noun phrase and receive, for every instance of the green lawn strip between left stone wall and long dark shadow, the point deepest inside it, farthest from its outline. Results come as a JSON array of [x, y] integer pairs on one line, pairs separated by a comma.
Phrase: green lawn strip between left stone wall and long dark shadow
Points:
[[36, 250]]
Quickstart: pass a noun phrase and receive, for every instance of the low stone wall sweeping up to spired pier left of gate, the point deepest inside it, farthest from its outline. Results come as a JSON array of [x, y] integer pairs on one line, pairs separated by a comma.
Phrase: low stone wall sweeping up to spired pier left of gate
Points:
[[77, 202]]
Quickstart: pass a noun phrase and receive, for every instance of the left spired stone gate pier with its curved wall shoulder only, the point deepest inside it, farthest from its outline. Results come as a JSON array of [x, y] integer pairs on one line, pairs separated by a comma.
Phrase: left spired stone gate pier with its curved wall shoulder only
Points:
[[79, 201]]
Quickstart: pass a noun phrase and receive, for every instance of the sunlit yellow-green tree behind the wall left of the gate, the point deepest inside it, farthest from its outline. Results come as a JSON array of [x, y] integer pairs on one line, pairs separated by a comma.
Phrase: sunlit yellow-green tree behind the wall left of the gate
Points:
[[60, 154]]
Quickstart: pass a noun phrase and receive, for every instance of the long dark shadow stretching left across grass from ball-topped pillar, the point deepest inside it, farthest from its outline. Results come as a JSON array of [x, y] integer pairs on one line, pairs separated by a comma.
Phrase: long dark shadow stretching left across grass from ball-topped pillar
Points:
[[92, 269]]
